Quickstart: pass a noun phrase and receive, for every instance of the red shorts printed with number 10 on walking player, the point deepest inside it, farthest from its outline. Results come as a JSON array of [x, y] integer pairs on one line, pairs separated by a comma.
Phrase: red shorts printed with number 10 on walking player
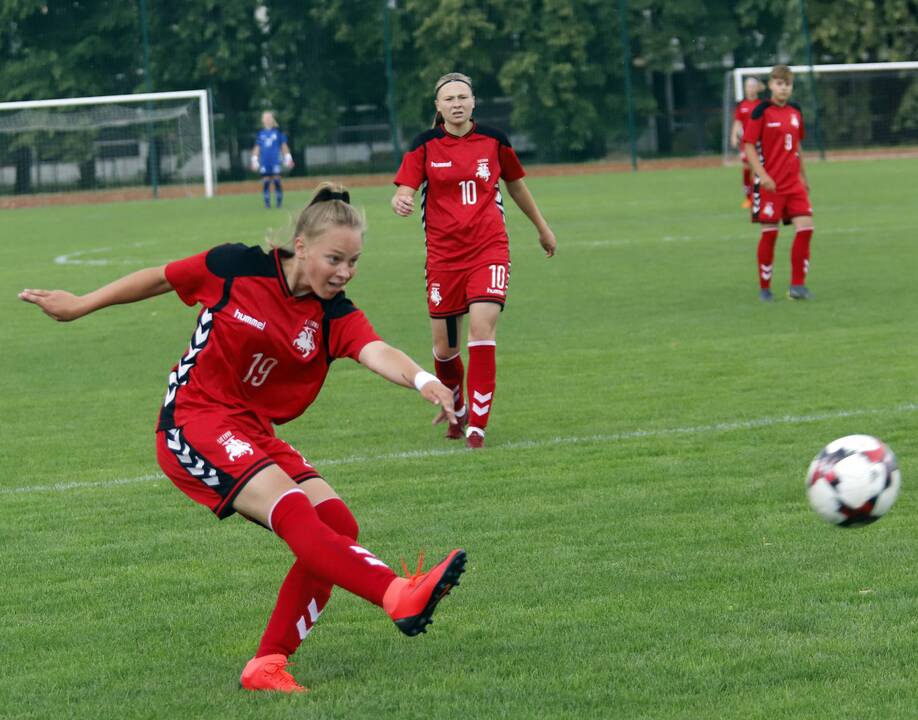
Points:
[[450, 292]]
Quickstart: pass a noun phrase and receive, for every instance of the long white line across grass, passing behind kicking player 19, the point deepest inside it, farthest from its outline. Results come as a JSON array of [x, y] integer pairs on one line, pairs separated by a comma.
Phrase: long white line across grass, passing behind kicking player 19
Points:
[[519, 445]]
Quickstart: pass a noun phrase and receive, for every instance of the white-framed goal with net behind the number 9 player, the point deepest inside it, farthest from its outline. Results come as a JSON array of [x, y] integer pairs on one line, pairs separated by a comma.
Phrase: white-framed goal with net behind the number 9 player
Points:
[[856, 107]]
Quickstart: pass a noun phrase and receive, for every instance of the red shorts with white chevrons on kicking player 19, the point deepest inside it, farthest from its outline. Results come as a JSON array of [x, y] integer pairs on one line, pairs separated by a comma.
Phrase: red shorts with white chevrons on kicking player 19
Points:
[[211, 460]]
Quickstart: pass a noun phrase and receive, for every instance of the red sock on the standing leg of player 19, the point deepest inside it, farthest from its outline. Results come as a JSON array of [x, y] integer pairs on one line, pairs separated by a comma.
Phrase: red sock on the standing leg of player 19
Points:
[[302, 596]]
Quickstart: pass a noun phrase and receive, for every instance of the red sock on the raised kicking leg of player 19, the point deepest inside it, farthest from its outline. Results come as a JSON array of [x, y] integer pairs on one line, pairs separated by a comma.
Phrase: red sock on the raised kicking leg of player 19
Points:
[[330, 557]]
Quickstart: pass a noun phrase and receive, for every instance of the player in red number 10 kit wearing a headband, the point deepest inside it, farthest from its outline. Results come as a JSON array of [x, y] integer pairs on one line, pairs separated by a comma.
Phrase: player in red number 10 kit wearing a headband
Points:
[[457, 166]]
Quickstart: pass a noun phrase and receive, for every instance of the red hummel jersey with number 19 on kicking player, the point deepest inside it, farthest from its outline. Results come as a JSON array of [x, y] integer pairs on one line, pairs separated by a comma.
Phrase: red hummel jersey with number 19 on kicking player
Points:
[[257, 349]]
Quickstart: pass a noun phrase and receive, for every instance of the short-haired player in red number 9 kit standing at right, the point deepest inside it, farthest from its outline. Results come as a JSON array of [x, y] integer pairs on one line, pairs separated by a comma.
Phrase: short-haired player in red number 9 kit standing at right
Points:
[[780, 191]]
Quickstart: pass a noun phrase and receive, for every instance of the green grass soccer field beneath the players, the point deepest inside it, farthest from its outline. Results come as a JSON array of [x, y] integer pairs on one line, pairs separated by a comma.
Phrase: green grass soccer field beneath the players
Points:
[[639, 541]]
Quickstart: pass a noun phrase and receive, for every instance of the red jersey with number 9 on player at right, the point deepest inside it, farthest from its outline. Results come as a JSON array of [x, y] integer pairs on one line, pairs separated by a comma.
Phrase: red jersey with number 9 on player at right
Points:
[[776, 132]]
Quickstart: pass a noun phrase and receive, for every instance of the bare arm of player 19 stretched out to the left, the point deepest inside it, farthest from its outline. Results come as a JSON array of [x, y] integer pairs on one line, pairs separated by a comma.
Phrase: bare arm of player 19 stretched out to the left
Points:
[[65, 306]]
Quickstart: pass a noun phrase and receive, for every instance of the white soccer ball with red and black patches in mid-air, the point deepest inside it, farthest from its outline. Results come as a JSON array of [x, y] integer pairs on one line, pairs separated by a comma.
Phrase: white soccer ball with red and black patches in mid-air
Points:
[[853, 481]]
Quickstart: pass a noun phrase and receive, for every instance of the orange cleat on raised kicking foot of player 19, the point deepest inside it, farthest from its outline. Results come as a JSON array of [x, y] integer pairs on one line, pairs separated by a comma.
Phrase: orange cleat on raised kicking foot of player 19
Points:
[[410, 601]]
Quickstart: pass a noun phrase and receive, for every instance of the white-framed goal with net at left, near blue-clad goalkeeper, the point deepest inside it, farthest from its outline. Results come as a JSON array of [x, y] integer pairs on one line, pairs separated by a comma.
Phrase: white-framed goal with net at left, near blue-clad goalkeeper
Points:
[[151, 140]]
